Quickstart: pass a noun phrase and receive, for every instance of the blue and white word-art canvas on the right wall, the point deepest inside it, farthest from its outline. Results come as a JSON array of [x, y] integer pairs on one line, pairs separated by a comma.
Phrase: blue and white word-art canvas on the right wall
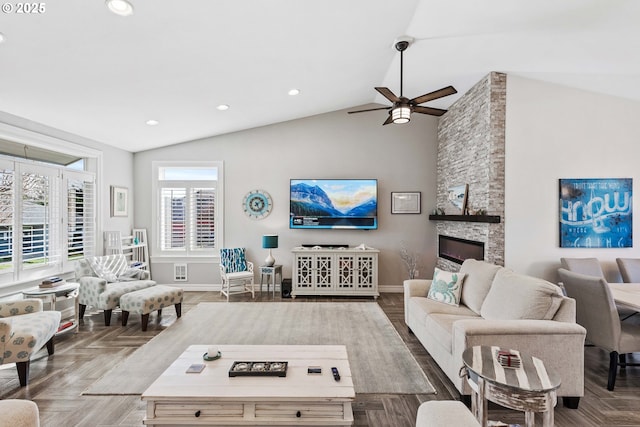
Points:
[[596, 213]]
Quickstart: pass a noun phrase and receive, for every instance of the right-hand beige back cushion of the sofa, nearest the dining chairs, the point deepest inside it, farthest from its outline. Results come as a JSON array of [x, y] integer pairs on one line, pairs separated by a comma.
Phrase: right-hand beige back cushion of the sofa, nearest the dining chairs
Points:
[[516, 296]]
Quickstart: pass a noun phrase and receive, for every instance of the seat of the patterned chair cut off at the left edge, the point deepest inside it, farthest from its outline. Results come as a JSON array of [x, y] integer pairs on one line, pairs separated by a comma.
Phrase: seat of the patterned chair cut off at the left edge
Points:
[[29, 332]]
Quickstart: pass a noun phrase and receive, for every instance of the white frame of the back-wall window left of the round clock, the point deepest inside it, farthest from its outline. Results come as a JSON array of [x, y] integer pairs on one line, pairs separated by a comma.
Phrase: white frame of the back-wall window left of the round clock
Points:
[[158, 185]]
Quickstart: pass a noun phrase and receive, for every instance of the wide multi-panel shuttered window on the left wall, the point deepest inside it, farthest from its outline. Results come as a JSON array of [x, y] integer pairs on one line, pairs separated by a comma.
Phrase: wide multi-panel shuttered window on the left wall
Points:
[[47, 219]]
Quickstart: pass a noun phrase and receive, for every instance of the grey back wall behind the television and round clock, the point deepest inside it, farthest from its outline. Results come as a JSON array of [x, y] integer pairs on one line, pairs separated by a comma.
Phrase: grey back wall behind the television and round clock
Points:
[[332, 145]]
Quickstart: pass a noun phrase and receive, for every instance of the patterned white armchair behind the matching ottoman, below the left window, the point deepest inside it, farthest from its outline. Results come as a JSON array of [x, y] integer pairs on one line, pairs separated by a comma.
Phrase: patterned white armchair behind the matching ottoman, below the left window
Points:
[[104, 279]]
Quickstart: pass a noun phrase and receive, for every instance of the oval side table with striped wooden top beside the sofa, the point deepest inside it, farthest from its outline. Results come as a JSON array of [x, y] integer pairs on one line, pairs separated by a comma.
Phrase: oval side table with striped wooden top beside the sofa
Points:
[[529, 388]]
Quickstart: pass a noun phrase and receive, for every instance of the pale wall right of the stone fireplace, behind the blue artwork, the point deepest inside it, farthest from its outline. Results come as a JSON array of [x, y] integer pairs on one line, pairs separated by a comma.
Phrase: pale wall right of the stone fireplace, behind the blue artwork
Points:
[[555, 132]]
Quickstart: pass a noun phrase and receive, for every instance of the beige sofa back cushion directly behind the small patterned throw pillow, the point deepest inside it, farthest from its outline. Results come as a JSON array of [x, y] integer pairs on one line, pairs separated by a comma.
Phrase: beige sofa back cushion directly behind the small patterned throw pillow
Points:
[[479, 276]]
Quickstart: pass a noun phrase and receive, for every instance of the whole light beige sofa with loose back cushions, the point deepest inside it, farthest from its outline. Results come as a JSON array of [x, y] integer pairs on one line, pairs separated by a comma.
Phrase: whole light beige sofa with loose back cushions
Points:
[[500, 308]]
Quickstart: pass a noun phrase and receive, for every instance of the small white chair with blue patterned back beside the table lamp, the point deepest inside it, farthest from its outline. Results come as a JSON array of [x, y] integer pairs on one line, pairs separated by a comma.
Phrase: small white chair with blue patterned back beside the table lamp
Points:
[[236, 272]]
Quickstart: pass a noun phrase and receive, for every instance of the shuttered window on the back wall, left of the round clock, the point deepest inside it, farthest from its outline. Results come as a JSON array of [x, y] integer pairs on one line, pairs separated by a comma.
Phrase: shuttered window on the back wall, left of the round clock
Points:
[[187, 207]]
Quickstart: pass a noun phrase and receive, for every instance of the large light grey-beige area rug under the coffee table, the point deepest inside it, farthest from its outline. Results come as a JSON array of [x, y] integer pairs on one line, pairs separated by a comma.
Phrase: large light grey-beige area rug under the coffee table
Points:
[[380, 361]]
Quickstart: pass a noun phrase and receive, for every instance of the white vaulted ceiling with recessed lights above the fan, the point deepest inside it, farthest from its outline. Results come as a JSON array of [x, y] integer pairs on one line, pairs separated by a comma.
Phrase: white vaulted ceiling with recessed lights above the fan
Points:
[[82, 69]]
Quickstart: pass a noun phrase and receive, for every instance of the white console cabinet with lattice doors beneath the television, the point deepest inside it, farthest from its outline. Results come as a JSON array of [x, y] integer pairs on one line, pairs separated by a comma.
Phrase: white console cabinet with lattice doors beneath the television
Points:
[[349, 272]]
